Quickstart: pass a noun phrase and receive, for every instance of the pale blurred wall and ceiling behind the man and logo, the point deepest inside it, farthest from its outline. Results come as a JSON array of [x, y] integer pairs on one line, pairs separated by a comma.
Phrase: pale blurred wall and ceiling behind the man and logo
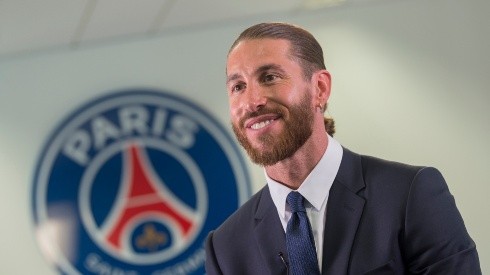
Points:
[[411, 83]]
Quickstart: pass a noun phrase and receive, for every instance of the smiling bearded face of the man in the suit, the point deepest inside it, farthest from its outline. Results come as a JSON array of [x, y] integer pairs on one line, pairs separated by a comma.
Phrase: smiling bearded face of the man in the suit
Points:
[[270, 101]]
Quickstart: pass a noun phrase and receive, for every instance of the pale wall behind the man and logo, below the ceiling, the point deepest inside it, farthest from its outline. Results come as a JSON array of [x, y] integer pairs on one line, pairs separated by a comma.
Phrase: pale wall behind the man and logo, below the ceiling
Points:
[[410, 83]]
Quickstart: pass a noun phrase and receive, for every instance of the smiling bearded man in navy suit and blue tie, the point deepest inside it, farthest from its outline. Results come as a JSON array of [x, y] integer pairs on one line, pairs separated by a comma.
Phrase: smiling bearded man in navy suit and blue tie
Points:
[[363, 215]]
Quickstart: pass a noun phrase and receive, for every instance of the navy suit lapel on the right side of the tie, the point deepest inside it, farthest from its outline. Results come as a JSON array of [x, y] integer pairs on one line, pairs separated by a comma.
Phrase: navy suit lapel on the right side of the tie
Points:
[[344, 210]]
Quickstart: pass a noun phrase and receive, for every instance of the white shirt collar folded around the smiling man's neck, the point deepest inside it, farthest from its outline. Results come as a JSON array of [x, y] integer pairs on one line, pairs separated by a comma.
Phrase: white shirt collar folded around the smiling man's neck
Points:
[[320, 178]]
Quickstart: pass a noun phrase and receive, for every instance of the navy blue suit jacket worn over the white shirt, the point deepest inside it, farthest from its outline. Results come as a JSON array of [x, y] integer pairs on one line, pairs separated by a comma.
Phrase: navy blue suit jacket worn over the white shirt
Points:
[[382, 218]]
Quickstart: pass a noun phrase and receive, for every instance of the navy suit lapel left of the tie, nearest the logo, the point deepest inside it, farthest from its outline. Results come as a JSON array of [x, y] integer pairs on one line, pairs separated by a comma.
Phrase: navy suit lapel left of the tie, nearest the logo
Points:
[[269, 234]]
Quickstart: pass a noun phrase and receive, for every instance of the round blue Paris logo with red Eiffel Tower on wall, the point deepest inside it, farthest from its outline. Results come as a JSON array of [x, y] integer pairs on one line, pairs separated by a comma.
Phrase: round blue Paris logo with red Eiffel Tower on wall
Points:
[[131, 183]]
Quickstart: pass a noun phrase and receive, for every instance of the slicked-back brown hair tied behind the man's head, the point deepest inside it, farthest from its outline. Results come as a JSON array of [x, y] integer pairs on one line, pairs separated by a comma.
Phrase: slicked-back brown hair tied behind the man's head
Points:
[[304, 48]]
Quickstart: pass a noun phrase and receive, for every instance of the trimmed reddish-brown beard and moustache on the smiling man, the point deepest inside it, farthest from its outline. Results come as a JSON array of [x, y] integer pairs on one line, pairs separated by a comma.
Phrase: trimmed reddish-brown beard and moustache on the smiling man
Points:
[[298, 128]]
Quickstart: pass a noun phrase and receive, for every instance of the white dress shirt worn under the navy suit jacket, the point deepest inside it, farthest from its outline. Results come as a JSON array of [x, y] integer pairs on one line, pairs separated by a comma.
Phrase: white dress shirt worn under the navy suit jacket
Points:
[[315, 189]]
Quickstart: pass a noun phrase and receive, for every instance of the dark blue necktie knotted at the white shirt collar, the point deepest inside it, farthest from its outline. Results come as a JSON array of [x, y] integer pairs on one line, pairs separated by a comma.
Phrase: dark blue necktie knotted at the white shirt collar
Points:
[[299, 239]]
